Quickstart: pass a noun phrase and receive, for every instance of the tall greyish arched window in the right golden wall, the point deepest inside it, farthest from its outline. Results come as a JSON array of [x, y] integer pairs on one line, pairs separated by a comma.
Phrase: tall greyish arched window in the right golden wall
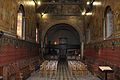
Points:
[[108, 23]]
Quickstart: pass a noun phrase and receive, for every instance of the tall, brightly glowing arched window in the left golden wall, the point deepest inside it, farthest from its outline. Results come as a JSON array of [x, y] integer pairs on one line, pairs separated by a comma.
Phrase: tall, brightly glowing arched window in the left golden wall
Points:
[[21, 23]]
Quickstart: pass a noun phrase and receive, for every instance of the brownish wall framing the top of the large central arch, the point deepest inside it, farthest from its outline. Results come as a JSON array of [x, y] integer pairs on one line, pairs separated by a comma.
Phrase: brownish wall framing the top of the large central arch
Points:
[[75, 21]]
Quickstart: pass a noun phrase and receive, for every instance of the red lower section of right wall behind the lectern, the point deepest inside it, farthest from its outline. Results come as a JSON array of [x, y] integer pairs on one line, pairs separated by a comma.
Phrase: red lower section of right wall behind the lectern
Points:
[[104, 52]]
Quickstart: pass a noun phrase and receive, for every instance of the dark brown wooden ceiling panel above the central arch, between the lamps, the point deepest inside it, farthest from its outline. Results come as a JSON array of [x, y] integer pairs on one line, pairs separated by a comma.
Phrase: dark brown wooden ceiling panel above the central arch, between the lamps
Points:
[[63, 7]]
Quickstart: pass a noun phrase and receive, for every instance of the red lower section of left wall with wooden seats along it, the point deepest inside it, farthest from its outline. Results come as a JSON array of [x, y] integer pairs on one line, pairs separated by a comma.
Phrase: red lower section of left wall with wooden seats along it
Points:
[[18, 58]]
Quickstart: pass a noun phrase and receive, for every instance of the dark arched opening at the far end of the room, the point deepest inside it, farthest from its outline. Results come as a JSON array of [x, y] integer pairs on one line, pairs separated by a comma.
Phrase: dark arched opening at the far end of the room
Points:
[[62, 40]]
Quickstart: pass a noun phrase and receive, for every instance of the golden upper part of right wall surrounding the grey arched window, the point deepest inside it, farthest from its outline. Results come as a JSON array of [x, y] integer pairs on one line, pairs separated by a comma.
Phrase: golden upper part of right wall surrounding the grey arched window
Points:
[[96, 22]]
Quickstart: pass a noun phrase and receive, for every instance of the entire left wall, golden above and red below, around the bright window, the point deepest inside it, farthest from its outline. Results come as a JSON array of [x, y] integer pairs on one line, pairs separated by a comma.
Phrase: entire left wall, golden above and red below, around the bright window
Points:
[[18, 58]]
